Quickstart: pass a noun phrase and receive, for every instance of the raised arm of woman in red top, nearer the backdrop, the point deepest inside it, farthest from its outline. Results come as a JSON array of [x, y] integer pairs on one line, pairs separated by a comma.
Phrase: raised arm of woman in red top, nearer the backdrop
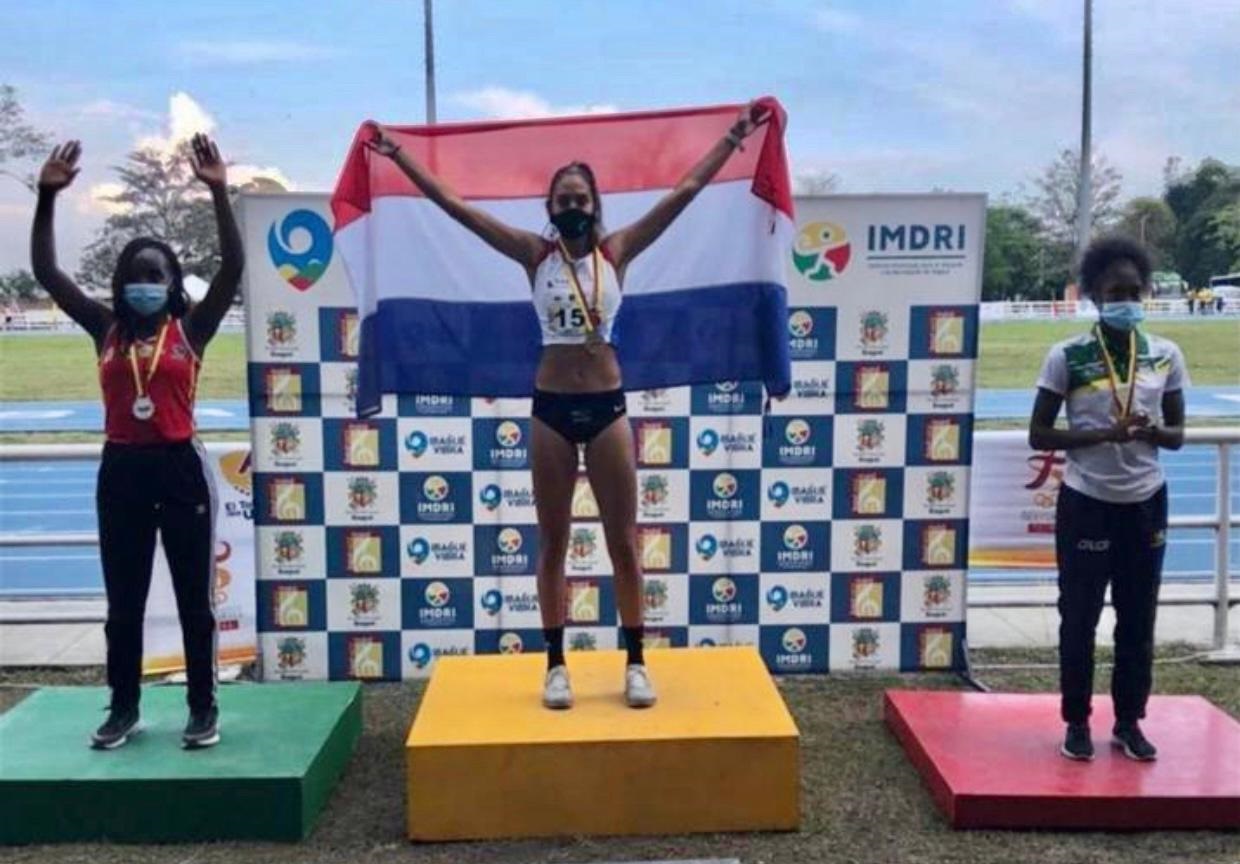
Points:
[[204, 319]]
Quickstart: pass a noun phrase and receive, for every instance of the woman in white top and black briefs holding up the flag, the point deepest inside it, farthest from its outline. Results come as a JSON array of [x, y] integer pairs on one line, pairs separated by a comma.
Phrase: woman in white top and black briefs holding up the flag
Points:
[[576, 280]]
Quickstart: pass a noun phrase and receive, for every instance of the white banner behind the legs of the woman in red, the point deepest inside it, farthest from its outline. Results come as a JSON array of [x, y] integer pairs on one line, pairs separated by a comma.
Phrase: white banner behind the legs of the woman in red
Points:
[[235, 575]]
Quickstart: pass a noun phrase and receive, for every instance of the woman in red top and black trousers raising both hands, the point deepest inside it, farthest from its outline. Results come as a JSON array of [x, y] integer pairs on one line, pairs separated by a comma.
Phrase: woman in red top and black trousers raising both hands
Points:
[[154, 474]]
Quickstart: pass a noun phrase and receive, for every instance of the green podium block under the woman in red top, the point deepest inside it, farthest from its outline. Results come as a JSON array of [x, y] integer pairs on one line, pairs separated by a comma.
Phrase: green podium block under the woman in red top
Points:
[[282, 752]]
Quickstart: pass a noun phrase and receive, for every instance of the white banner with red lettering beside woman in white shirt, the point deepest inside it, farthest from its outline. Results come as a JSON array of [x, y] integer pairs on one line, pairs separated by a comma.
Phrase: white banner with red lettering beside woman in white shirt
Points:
[[1014, 503]]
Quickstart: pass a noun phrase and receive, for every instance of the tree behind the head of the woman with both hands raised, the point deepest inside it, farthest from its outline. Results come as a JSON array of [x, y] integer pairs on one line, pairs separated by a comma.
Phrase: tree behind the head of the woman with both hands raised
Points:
[[161, 199]]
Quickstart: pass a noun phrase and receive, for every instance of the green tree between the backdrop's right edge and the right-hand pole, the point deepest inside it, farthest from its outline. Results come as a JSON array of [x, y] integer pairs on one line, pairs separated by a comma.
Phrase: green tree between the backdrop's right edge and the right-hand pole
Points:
[[1020, 262]]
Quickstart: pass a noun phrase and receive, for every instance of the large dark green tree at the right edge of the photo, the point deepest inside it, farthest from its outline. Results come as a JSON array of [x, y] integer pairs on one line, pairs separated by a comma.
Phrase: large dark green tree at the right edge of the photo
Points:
[[1207, 206]]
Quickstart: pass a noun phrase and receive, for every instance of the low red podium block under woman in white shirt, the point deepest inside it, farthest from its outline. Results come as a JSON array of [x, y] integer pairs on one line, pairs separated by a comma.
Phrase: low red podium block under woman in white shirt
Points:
[[991, 760]]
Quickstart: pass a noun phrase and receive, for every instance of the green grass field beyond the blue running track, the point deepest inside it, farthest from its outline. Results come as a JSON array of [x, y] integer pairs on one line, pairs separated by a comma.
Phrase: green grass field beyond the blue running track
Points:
[[63, 368]]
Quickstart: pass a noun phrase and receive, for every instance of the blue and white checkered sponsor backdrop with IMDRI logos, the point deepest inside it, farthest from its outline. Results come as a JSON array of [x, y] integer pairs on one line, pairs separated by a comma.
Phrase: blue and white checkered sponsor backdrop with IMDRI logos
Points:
[[830, 532]]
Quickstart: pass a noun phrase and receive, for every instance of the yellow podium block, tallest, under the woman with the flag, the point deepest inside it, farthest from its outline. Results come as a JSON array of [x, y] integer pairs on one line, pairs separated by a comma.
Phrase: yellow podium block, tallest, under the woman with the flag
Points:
[[485, 760]]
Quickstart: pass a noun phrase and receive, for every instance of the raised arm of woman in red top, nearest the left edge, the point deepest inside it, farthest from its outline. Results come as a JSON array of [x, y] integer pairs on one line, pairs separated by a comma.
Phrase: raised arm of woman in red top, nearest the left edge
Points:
[[58, 173]]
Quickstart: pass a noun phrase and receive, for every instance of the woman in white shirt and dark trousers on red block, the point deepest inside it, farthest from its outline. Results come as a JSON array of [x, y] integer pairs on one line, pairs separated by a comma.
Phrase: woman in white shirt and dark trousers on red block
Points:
[[1124, 390]]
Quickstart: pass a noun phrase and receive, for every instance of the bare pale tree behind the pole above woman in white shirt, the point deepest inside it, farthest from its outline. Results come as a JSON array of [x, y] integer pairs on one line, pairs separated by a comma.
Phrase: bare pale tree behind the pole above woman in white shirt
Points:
[[1056, 200]]
